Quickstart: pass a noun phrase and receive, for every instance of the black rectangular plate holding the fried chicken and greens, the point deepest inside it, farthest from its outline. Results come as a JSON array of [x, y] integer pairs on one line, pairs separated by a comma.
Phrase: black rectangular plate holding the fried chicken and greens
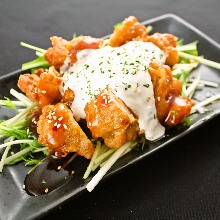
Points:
[[15, 203]]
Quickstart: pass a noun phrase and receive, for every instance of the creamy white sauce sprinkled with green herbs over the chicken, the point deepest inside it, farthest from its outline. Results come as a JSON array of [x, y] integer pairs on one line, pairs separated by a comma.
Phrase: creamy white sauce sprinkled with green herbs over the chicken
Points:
[[124, 70]]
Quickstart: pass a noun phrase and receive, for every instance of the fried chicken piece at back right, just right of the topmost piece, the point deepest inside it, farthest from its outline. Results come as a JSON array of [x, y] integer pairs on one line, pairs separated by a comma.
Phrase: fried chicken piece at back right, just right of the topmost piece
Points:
[[167, 43]]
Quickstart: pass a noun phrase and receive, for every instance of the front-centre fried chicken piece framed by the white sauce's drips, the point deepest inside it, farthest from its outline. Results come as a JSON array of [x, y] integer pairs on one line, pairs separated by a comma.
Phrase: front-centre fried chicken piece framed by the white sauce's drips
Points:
[[108, 117]]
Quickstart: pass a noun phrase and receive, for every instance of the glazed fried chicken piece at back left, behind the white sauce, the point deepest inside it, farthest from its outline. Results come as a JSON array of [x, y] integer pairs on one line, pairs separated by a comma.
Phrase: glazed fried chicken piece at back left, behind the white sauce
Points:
[[63, 49]]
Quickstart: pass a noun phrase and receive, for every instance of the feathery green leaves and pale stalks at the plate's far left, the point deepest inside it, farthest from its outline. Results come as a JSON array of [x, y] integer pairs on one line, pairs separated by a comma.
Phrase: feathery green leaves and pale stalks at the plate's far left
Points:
[[17, 128]]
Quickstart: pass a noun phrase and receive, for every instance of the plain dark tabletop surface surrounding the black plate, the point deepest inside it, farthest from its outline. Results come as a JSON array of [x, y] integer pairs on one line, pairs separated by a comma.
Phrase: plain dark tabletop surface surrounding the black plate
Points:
[[181, 181]]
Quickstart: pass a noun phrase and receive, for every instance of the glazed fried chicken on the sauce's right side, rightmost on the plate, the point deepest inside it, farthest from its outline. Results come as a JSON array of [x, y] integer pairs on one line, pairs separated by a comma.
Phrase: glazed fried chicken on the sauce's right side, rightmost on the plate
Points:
[[171, 108]]
